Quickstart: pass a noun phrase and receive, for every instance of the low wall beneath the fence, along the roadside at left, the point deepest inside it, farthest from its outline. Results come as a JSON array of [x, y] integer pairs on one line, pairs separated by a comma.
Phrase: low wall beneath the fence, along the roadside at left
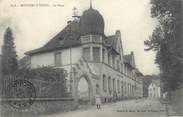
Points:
[[39, 107]]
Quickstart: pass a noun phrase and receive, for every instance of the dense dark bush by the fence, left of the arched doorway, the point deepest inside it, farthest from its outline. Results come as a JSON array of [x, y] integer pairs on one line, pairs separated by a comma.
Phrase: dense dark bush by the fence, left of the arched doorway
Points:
[[49, 82]]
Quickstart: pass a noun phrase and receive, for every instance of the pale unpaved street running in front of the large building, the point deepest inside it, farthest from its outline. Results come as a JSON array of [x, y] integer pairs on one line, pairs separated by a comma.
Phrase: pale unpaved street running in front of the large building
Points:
[[126, 108]]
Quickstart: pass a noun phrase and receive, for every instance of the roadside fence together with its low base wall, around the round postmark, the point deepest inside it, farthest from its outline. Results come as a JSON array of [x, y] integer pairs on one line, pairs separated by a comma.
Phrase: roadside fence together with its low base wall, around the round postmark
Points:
[[49, 99]]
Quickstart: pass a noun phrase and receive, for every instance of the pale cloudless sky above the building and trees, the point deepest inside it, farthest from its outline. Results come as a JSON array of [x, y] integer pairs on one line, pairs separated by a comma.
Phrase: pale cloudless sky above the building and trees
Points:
[[34, 26]]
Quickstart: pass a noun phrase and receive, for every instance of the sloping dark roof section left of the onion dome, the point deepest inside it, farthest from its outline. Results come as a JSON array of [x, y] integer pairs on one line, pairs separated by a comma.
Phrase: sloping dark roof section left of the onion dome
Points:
[[69, 36]]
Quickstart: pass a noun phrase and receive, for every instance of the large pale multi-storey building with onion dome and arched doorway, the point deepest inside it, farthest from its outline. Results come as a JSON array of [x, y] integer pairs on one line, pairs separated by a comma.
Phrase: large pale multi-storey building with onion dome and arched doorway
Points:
[[85, 51]]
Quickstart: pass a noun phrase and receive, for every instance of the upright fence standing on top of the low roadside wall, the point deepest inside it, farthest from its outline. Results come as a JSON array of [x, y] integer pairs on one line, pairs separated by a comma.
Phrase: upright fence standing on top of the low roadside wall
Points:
[[44, 89]]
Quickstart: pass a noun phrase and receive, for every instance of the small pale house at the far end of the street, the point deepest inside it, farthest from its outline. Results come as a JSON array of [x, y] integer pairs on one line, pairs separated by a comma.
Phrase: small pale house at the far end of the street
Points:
[[154, 89]]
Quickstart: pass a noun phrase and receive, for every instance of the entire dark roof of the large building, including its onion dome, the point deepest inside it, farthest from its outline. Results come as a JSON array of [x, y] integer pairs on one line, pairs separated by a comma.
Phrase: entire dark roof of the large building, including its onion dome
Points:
[[91, 22]]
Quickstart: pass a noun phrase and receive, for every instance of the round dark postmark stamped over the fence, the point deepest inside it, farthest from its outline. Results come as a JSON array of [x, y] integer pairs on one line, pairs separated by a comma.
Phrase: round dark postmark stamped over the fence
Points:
[[21, 94]]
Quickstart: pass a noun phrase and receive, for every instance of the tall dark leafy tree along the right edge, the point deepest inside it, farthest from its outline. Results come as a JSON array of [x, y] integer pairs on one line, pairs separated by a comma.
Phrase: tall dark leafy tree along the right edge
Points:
[[166, 40]]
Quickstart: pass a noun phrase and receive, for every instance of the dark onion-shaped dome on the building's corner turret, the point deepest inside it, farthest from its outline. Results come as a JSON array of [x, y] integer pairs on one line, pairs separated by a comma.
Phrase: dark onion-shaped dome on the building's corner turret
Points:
[[92, 22]]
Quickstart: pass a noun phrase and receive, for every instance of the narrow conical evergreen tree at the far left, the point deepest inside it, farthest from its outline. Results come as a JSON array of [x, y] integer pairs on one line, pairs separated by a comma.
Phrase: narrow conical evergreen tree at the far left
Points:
[[9, 57]]
